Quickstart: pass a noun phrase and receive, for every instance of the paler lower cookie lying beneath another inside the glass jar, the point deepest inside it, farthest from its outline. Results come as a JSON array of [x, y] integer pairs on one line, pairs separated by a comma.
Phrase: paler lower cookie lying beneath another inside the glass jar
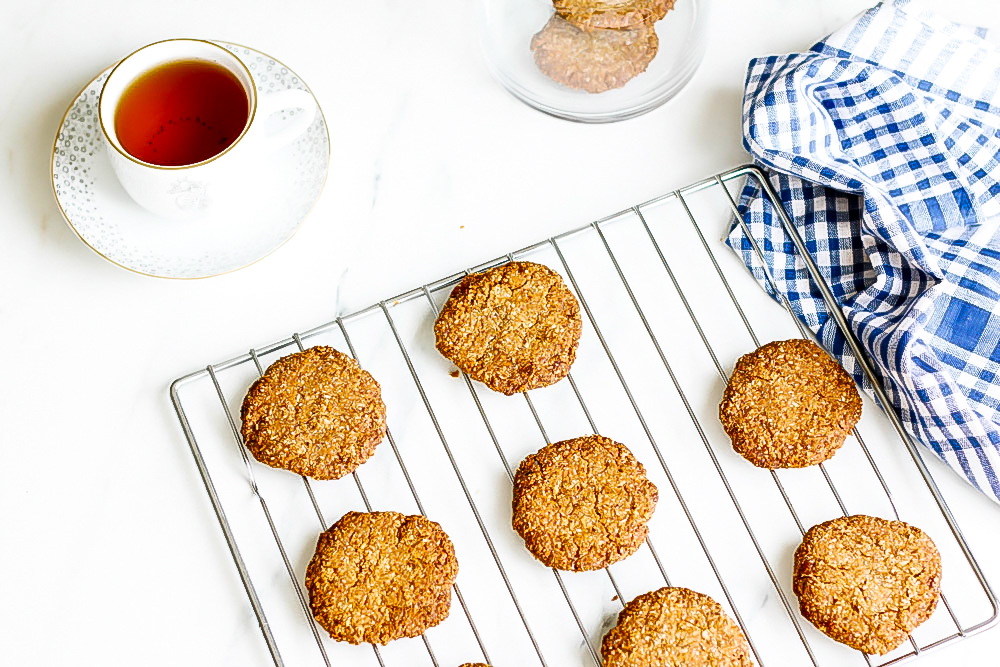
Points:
[[596, 60]]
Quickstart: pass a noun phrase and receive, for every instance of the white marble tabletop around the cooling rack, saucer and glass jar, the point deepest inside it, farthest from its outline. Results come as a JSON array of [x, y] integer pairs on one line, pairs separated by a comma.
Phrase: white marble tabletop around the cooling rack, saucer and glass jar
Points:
[[109, 551]]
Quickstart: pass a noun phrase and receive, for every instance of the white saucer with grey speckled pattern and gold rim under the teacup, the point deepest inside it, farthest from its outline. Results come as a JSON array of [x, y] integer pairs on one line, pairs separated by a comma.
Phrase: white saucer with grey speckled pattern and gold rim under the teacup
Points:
[[97, 208]]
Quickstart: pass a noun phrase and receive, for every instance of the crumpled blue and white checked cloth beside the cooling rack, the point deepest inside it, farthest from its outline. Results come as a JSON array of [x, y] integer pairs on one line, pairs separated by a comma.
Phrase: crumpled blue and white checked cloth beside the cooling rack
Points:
[[884, 145]]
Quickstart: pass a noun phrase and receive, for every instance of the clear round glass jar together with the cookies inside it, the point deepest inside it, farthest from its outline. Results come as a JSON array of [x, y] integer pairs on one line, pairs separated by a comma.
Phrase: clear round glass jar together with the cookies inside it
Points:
[[592, 74]]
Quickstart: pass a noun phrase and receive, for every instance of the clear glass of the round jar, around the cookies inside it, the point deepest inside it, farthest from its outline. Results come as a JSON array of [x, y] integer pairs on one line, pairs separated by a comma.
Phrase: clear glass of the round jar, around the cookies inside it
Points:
[[508, 26]]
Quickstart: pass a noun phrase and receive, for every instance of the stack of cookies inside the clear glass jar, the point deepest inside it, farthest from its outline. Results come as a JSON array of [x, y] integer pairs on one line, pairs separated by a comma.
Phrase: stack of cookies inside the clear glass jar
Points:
[[598, 45]]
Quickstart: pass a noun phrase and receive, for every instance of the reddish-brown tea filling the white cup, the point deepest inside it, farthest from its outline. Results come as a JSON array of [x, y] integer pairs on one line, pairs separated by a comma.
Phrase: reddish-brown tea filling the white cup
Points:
[[181, 113]]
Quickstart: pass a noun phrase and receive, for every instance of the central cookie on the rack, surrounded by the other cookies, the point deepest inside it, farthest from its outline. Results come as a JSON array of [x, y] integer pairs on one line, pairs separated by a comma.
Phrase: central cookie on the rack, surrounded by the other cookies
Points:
[[582, 504]]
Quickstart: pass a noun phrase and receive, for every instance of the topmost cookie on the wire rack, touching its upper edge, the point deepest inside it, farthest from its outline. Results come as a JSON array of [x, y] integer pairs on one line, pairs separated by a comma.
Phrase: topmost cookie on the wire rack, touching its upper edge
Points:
[[513, 328]]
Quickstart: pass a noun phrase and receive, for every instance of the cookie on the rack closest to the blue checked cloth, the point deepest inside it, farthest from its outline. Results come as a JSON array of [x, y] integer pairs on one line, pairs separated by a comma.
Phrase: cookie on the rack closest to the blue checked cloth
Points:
[[789, 404]]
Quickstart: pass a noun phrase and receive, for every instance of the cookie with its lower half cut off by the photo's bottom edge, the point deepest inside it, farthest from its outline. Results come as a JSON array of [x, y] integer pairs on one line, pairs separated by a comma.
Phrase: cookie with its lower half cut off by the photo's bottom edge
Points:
[[675, 626]]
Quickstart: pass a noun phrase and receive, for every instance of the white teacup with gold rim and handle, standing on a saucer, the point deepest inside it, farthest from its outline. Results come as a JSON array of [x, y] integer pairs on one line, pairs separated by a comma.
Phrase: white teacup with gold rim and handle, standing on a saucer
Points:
[[202, 188]]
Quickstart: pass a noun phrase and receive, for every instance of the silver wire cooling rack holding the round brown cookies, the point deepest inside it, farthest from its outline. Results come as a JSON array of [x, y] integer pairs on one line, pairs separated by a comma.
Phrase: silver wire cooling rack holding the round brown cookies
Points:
[[668, 310]]
